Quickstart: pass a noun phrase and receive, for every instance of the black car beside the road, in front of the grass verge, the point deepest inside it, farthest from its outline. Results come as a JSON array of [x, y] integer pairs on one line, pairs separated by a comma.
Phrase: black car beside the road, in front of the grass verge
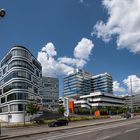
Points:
[[61, 122]]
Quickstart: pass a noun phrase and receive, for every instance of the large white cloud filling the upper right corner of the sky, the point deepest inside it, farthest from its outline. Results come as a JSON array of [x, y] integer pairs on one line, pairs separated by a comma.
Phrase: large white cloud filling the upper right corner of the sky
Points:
[[123, 22]]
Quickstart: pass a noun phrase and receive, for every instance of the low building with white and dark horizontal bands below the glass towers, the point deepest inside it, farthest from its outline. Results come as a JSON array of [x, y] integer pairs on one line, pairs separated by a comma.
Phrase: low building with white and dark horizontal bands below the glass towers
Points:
[[99, 99]]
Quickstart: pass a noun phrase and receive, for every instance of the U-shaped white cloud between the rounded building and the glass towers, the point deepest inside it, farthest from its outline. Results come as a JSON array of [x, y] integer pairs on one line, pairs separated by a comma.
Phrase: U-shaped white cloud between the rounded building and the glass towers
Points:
[[58, 66]]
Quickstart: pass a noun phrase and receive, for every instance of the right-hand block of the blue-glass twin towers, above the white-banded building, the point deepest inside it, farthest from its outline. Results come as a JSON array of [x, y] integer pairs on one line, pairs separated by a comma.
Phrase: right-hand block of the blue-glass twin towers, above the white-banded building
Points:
[[102, 83]]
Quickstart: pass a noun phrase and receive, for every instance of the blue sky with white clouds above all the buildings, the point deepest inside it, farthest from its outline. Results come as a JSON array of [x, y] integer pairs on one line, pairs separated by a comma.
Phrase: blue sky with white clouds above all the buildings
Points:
[[62, 24]]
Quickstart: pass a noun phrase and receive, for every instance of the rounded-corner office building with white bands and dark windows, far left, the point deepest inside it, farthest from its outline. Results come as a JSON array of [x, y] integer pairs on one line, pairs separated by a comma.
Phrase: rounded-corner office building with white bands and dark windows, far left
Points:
[[20, 73]]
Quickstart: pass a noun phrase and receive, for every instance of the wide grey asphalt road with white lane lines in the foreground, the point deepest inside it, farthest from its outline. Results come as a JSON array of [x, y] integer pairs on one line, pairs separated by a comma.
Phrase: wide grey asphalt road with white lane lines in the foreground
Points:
[[126, 130]]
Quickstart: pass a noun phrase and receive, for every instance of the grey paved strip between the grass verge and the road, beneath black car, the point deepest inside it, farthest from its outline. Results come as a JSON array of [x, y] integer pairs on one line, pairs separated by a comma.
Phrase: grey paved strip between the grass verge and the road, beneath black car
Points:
[[8, 133]]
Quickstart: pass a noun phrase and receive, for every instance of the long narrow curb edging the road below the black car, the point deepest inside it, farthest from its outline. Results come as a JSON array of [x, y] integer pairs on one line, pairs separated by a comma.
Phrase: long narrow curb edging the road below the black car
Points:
[[48, 131]]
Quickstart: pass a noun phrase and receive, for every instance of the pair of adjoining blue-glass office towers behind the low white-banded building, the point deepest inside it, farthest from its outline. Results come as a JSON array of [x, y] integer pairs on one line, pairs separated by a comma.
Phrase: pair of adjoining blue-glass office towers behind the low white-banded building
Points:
[[81, 83]]
